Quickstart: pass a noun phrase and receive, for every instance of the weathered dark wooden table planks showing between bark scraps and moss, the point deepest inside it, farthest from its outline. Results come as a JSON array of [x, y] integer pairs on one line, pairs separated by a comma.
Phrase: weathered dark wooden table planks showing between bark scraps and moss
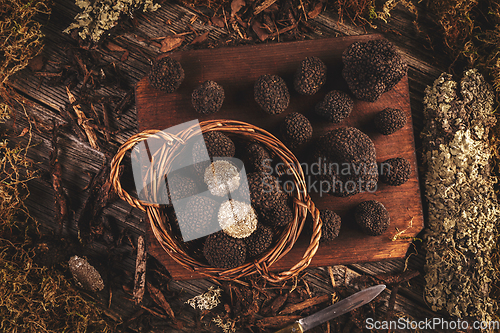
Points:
[[80, 160]]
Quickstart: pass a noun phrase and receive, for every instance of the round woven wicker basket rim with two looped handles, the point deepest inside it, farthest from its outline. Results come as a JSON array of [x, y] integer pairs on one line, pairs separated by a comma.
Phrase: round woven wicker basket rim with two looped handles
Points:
[[286, 239]]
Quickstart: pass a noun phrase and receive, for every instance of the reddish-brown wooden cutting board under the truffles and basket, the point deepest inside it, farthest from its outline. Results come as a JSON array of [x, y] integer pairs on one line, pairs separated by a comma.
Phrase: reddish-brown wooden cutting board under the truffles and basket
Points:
[[236, 69]]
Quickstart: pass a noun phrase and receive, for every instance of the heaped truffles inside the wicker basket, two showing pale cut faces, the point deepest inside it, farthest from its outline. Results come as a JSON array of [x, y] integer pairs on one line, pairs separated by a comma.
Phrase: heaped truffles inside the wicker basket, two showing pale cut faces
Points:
[[240, 216]]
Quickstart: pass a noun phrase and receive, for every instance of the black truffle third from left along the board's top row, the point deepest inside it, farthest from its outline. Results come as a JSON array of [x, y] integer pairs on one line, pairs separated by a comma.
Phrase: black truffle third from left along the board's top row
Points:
[[271, 93]]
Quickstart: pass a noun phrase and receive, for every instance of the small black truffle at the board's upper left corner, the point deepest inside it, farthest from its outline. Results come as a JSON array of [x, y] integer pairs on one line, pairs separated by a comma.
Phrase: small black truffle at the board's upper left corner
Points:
[[166, 74]]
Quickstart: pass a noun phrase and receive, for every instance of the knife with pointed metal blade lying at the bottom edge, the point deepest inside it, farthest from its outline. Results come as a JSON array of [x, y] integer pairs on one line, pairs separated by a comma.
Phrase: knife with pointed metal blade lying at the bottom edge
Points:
[[347, 304]]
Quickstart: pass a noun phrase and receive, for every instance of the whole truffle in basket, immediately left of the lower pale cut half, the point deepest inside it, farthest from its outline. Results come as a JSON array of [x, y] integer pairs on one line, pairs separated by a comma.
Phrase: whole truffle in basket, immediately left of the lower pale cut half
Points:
[[198, 217]]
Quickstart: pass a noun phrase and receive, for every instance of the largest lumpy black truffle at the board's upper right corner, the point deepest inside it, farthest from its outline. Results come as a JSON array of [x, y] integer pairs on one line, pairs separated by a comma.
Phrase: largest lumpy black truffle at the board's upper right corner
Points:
[[372, 68]]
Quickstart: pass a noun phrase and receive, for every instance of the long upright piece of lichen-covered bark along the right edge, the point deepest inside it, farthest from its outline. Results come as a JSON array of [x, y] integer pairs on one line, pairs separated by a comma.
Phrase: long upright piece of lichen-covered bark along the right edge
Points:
[[462, 205]]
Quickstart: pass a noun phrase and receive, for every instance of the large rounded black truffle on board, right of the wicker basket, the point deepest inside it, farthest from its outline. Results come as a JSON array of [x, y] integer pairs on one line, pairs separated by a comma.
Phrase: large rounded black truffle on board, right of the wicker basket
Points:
[[348, 162]]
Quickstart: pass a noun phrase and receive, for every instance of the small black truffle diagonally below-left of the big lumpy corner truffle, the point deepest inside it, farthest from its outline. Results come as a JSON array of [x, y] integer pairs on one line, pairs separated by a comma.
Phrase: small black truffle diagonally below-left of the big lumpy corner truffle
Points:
[[336, 106]]
